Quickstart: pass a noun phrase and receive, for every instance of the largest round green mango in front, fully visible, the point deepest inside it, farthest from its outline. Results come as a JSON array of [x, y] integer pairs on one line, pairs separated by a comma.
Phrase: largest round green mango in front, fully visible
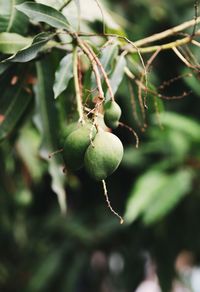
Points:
[[104, 156]]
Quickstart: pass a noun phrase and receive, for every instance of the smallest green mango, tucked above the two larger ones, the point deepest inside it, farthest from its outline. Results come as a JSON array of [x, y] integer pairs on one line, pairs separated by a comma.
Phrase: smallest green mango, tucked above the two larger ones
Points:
[[112, 114]]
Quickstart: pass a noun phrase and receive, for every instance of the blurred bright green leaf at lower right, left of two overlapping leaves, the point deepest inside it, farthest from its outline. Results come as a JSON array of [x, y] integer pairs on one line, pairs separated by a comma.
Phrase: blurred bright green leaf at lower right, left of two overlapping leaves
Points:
[[146, 188]]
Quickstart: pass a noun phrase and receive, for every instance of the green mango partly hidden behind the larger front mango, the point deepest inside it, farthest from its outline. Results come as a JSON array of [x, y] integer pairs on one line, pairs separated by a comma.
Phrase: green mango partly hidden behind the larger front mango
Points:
[[75, 146]]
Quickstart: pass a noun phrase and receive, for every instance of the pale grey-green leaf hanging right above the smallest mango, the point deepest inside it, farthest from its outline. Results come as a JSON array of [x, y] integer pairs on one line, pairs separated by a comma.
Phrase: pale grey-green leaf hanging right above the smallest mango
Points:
[[117, 74]]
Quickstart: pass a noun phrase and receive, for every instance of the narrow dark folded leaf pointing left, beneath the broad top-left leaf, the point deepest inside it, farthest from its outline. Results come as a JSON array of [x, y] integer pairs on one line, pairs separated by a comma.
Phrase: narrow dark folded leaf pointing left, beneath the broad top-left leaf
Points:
[[30, 52]]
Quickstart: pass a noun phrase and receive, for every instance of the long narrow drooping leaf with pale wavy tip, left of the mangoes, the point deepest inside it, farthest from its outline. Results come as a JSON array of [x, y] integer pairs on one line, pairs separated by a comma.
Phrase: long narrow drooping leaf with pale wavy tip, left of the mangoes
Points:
[[47, 123]]
